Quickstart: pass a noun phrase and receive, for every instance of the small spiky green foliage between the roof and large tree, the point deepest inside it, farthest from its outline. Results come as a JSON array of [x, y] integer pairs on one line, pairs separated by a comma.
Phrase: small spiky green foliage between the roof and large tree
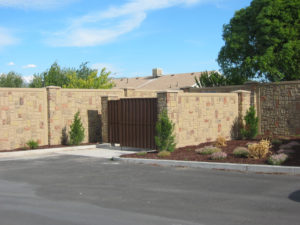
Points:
[[212, 79]]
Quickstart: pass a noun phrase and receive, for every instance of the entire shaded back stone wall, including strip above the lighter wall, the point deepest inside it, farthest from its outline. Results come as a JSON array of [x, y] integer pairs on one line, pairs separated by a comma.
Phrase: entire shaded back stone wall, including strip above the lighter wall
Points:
[[277, 105]]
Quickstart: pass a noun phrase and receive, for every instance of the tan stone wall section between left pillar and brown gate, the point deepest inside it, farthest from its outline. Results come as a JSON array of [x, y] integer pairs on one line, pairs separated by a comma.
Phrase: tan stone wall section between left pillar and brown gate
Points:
[[68, 102]]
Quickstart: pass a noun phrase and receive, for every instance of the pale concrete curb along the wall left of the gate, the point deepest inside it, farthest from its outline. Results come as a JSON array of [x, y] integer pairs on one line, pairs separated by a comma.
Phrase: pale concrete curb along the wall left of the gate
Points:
[[45, 151]]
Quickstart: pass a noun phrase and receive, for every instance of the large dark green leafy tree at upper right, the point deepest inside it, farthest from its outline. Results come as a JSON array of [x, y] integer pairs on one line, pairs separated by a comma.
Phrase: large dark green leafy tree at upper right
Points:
[[263, 41]]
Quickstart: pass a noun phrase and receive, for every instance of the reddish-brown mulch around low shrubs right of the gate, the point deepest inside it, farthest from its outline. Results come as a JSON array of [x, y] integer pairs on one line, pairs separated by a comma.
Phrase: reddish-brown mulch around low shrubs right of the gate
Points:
[[188, 154]]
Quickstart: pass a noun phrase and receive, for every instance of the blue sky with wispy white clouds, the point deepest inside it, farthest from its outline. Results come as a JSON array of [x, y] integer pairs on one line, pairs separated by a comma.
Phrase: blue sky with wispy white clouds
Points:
[[128, 37]]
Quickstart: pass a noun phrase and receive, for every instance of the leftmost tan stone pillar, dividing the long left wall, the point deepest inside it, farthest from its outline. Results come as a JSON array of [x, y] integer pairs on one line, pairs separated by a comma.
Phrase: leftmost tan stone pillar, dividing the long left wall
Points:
[[54, 115]]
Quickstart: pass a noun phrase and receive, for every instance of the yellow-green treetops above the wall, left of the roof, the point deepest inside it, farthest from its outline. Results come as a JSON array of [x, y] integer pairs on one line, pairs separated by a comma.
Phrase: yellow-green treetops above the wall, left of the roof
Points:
[[84, 77]]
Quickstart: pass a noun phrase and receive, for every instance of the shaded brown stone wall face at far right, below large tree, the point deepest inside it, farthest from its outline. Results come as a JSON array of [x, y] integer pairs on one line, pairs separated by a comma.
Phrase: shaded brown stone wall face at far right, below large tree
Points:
[[280, 108]]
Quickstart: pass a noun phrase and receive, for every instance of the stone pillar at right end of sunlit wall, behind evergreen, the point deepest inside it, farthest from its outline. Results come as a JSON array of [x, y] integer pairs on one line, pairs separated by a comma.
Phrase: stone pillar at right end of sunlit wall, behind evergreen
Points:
[[244, 103]]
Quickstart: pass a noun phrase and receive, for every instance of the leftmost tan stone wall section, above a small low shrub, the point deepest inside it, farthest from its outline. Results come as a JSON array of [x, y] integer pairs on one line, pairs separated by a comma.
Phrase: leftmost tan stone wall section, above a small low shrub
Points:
[[23, 116]]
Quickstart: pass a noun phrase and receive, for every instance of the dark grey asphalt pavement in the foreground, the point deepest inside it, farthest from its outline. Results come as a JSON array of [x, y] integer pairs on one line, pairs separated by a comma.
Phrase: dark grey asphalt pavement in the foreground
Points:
[[69, 189]]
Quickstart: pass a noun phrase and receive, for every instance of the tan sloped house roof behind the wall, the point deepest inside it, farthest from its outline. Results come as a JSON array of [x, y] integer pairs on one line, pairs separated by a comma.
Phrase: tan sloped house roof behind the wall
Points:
[[170, 81]]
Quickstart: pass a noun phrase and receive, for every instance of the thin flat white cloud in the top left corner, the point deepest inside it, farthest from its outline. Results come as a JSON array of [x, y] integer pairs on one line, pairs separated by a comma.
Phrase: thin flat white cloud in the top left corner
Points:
[[34, 4]]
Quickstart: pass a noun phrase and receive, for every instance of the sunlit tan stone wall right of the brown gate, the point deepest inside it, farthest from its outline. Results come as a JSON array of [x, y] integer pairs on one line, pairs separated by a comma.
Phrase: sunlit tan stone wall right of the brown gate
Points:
[[202, 117]]
